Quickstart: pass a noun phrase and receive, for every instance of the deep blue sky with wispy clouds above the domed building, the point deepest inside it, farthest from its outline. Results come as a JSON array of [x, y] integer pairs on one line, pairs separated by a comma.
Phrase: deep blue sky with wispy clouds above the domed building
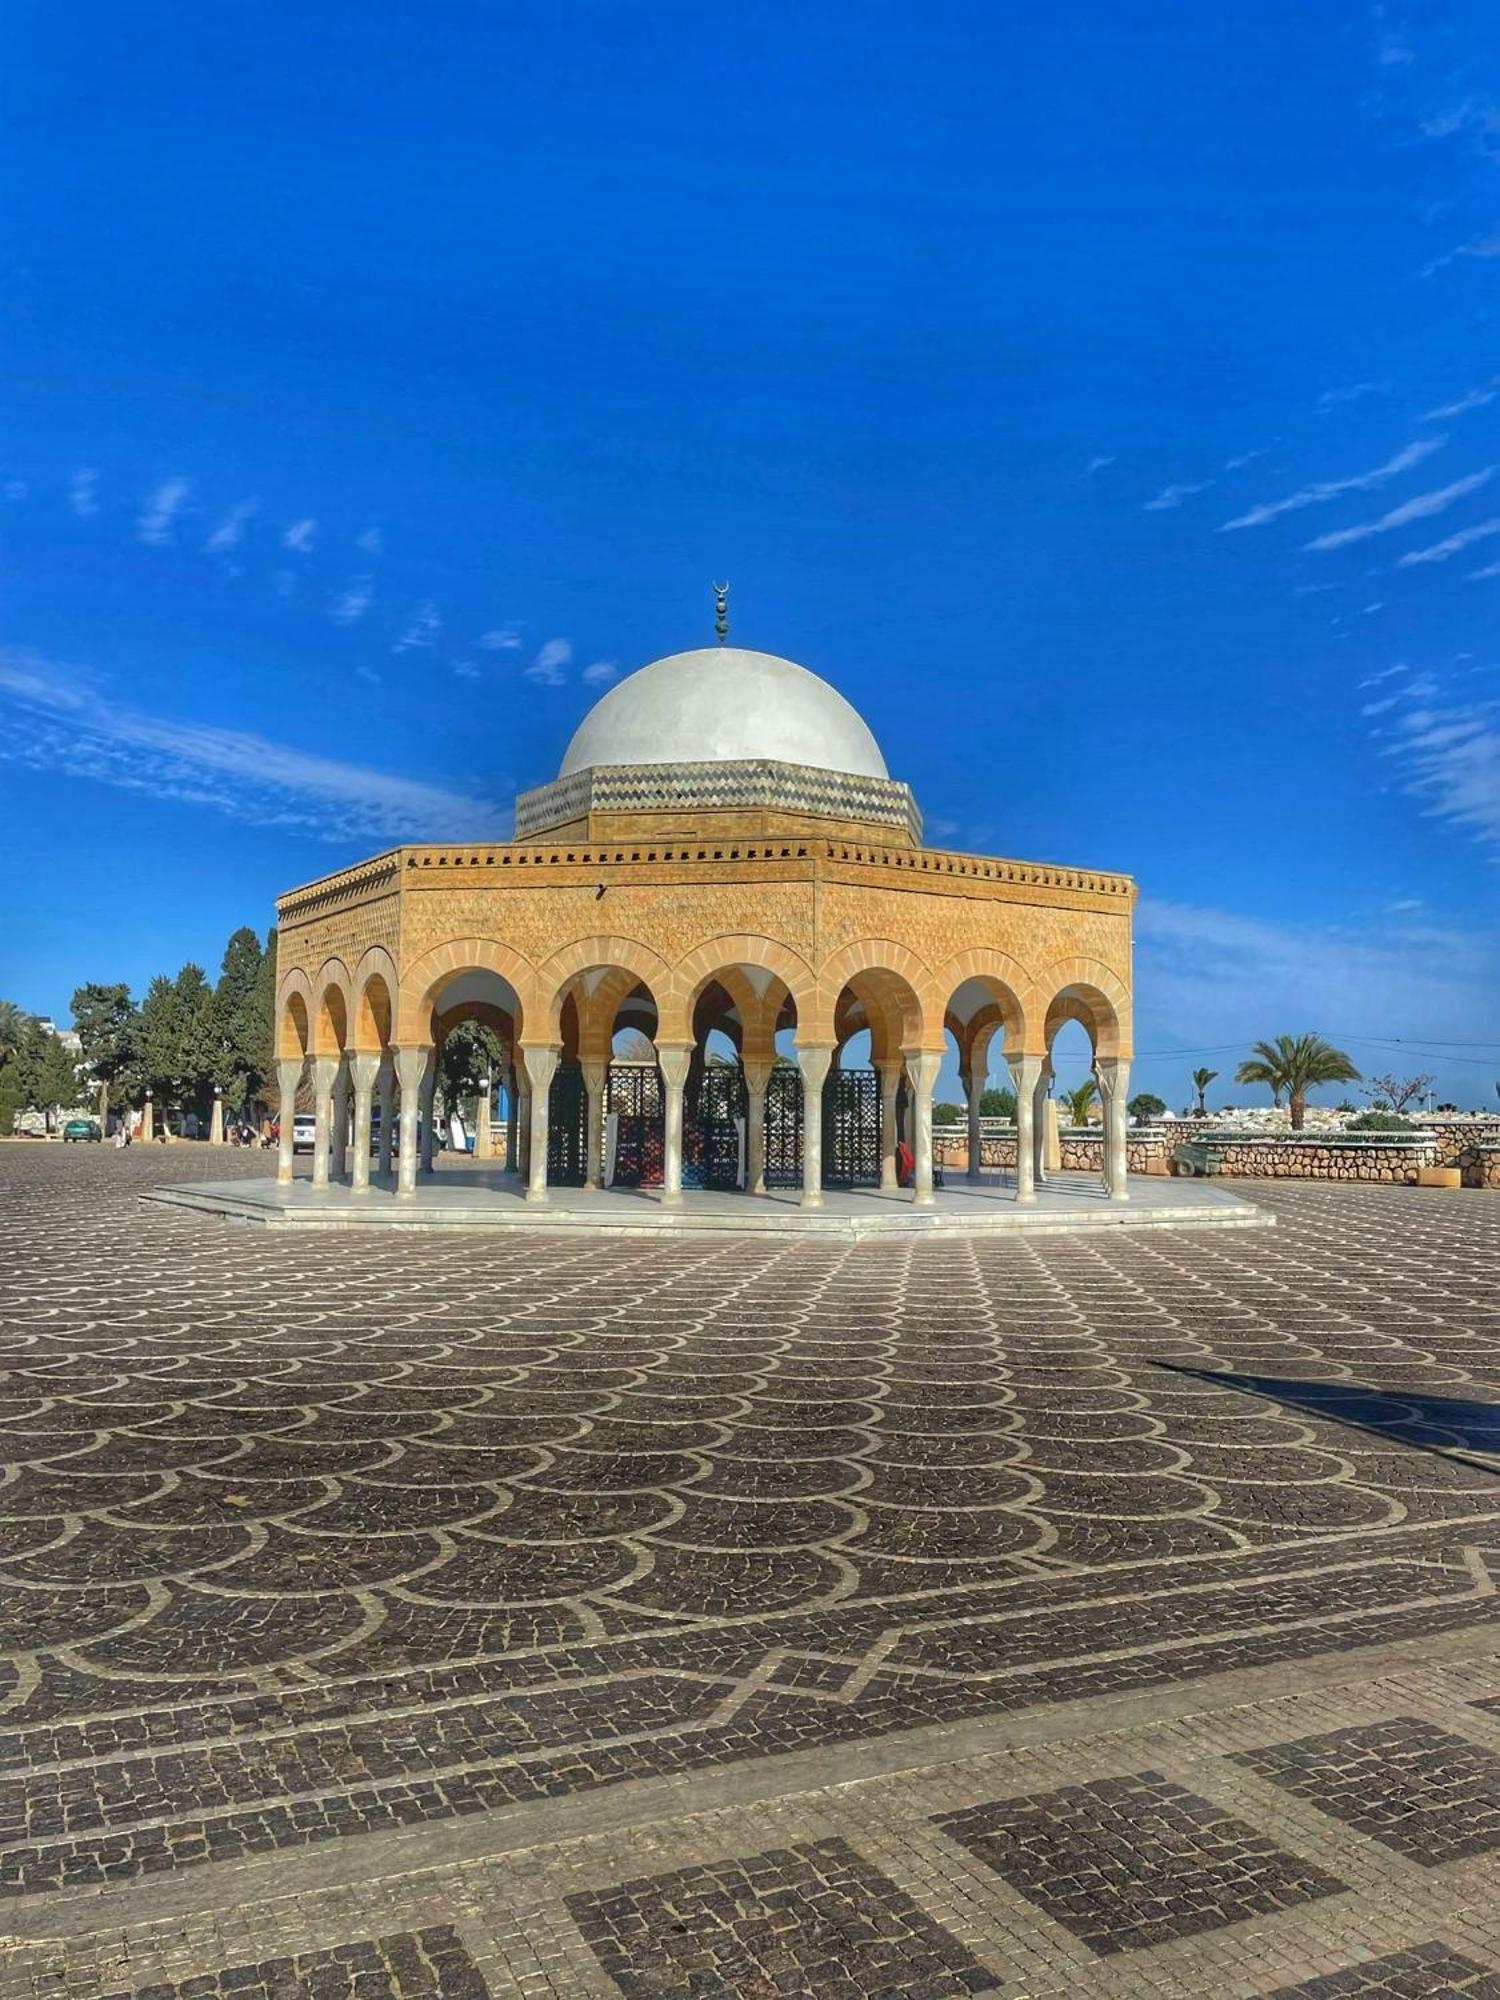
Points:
[[1107, 399]]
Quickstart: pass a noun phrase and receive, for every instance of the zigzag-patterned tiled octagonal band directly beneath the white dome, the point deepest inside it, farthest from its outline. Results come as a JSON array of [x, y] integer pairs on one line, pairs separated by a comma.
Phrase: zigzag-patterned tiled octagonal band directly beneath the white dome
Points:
[[751, 783]]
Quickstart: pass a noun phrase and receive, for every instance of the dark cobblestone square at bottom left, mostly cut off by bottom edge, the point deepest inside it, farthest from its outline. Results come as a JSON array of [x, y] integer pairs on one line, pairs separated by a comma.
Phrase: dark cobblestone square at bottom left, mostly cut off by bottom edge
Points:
[[429, 1965]]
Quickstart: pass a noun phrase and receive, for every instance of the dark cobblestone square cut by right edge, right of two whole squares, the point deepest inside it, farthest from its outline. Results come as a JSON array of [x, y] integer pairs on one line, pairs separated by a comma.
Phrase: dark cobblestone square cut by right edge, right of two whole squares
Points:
[[1407, 1783]]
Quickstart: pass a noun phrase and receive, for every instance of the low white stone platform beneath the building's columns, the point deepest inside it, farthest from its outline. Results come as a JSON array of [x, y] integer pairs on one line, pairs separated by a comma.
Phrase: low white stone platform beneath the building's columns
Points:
[[487, 1199]]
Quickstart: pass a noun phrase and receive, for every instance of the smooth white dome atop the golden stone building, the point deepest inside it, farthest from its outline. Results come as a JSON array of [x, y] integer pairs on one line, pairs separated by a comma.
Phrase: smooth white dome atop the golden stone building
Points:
[[723, 705]]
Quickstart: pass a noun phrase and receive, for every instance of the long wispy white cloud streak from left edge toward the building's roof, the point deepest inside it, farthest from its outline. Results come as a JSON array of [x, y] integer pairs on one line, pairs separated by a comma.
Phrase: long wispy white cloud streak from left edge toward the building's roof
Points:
[[61, 721]]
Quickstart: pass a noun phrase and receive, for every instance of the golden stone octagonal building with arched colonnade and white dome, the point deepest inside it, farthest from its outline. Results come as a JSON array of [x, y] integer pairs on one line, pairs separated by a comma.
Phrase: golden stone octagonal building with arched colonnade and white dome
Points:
[[721, 851]]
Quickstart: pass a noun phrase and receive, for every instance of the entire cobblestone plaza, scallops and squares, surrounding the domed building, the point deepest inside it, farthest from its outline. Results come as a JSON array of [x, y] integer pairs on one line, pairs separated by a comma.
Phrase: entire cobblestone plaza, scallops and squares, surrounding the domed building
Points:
[[543, 1615]]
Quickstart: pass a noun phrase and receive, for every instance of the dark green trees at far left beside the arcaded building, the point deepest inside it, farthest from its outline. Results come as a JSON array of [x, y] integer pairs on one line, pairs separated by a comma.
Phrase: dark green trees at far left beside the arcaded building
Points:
[[181, 1041]]
